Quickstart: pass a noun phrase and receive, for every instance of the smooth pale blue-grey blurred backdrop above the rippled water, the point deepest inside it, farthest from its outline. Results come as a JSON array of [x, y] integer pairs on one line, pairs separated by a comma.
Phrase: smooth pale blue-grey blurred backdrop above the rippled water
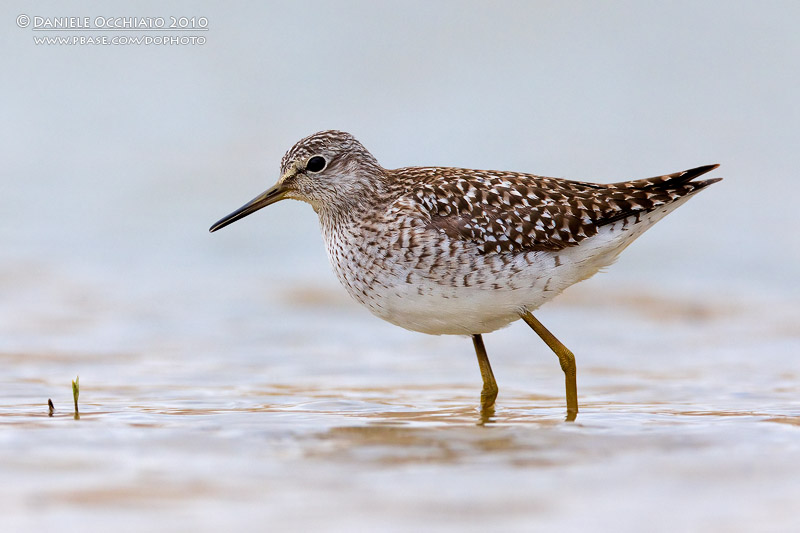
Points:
[[121, 157]]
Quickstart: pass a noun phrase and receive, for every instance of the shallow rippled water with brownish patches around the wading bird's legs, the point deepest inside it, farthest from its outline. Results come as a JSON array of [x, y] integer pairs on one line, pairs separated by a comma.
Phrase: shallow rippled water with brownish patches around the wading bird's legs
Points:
[[685, 423]]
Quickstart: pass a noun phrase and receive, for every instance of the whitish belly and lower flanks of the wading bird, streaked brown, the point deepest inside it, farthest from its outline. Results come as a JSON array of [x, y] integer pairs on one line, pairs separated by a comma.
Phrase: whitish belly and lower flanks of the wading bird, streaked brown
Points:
[[462, 293]]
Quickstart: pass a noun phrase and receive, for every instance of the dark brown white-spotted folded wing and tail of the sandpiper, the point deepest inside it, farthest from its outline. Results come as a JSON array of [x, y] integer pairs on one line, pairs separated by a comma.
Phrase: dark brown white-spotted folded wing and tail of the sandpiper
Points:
[[509, 212]]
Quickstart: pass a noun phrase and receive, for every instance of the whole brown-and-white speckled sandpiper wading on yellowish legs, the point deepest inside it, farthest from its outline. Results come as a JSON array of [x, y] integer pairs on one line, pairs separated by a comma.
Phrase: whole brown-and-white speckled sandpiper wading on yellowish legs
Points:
[[457, 251]]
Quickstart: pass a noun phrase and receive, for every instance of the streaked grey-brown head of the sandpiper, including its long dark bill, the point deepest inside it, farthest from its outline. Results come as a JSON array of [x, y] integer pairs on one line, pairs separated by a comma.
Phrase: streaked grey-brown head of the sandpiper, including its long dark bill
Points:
[[330, 170]]
